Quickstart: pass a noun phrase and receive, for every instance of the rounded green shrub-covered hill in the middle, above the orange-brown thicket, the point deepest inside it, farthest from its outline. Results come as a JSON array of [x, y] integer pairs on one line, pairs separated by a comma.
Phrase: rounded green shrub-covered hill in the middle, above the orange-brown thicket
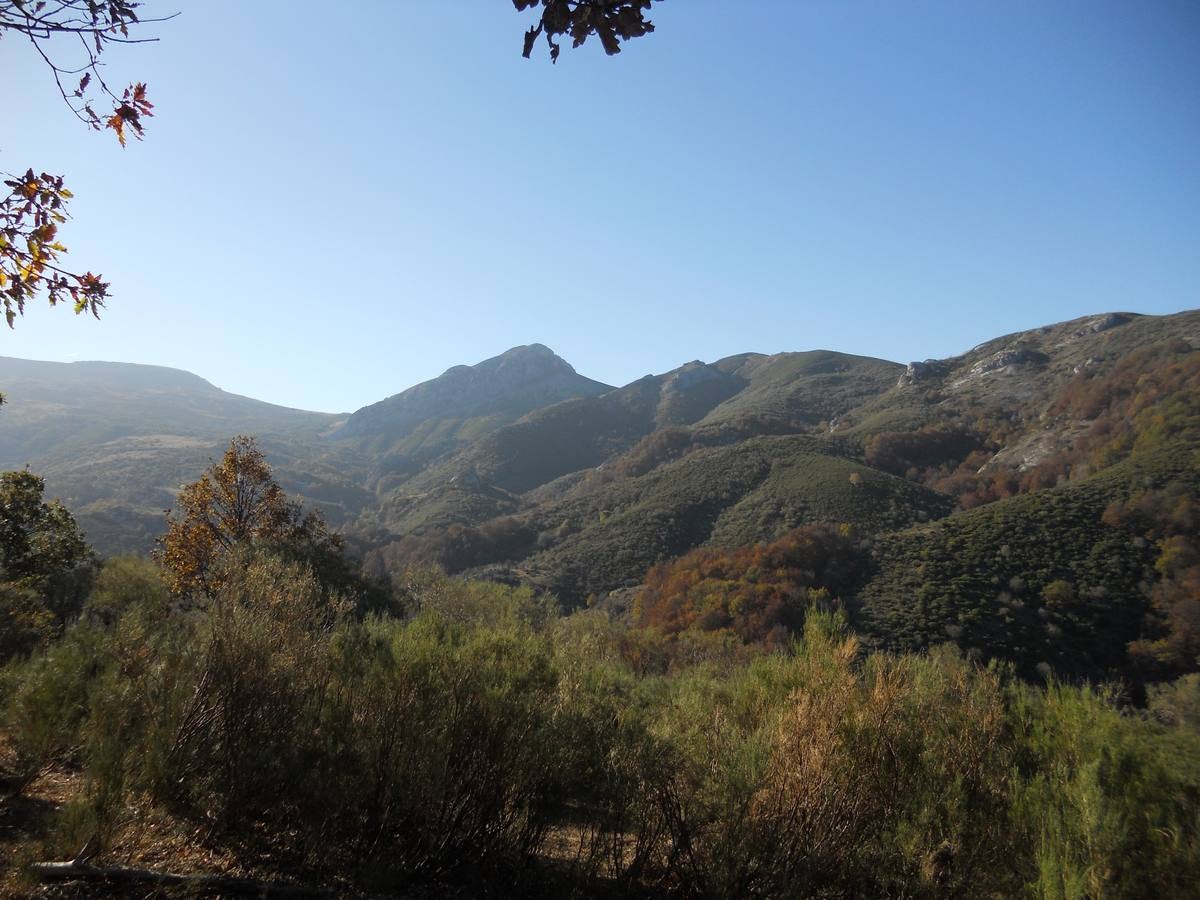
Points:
[[608, 537]]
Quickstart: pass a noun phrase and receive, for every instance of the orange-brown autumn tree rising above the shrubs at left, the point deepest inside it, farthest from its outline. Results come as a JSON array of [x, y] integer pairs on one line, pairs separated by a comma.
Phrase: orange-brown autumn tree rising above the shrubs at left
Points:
[[237, 506]]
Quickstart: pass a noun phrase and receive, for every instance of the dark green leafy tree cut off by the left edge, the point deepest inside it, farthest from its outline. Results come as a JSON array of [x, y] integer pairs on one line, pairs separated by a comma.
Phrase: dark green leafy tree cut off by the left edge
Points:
[[45, 563]]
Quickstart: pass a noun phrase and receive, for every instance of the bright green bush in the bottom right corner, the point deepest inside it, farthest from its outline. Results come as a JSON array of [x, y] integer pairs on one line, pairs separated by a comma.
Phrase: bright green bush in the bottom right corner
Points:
[[1099, 808]]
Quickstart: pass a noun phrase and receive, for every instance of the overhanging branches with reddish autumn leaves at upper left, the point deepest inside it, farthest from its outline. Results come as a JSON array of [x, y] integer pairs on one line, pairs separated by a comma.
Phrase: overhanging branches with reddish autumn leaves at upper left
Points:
[[31, 254]]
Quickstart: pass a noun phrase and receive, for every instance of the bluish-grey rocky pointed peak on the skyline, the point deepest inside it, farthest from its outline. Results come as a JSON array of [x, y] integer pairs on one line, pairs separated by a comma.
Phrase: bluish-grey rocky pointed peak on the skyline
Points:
[[515, 382]]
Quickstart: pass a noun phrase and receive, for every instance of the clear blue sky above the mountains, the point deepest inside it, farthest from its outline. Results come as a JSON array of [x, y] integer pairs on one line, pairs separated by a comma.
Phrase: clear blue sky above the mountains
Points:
[[338, 201]]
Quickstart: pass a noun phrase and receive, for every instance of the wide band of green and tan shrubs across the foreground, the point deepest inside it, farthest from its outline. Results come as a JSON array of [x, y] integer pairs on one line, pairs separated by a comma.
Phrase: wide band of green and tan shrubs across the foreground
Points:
[[484, 737]]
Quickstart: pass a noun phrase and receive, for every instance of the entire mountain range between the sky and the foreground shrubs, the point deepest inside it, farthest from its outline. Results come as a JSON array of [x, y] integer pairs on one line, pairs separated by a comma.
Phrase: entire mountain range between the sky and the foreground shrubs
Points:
[[975, 484]]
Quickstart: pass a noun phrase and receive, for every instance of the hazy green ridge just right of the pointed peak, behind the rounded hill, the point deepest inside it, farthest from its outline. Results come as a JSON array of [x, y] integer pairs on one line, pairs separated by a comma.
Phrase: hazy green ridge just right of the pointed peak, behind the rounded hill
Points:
[[733, 399]]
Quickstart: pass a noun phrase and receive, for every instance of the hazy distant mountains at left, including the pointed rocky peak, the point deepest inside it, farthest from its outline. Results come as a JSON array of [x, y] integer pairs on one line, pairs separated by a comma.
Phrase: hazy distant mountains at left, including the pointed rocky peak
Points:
[[116, 441]]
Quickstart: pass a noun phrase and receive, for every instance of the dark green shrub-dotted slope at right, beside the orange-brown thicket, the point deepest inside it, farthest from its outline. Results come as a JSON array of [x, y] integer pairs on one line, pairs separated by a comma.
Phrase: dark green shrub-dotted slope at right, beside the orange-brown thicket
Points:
[[980, 578]]
